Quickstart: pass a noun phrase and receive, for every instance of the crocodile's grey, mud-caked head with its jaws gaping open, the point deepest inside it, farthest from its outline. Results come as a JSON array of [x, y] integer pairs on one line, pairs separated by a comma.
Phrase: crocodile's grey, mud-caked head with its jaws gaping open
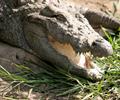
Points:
[[66, 40]]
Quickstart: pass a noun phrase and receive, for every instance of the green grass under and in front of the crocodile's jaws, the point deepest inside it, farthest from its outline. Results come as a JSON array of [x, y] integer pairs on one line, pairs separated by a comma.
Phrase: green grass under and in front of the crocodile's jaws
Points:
[[62, 83]]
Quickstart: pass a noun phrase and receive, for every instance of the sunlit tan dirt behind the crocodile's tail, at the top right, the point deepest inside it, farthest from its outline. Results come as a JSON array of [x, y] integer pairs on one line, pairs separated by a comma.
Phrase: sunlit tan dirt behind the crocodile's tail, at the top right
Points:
[[106, 6]]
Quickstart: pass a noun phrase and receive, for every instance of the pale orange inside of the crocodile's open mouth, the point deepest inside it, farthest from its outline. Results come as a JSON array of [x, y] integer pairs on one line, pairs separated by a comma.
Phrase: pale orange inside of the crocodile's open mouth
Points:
[[81, 59]]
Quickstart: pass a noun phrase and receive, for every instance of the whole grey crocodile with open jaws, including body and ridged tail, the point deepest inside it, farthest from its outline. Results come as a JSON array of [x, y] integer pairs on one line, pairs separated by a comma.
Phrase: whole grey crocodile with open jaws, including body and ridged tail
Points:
[[57, 32]]
